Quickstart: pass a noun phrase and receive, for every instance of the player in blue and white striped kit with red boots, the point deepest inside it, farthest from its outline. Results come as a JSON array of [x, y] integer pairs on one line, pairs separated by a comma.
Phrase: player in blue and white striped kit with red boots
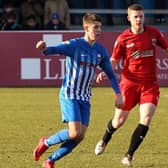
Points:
[[83, 55]]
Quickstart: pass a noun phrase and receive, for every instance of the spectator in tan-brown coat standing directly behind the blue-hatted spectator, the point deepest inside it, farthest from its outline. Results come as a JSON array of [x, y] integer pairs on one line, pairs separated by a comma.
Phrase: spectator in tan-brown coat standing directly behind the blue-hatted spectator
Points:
[[59, 6]]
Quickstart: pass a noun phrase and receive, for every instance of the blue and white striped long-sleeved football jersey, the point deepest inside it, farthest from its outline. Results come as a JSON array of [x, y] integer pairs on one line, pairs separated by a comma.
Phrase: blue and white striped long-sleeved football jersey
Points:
[[81, 62]]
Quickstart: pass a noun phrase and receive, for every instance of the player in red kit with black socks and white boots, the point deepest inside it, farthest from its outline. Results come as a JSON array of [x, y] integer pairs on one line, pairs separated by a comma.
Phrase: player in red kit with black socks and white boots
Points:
[[136, 47]]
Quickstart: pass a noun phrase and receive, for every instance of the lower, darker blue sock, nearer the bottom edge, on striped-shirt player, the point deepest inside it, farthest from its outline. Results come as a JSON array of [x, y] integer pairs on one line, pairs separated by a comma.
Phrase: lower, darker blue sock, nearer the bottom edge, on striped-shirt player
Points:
[[64, 149]]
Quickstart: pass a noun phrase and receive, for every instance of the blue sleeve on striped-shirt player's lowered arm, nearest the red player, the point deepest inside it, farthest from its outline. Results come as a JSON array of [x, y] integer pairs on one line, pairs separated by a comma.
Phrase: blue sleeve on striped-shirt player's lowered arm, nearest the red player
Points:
[[107, 68]]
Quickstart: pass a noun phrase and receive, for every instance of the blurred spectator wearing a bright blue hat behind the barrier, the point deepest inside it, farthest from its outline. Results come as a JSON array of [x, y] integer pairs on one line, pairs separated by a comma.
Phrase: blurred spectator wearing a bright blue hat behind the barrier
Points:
[[55, 23]]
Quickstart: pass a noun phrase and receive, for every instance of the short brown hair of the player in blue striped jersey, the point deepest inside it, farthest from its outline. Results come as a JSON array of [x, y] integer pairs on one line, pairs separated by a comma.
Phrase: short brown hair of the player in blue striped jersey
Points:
[[91, 17]]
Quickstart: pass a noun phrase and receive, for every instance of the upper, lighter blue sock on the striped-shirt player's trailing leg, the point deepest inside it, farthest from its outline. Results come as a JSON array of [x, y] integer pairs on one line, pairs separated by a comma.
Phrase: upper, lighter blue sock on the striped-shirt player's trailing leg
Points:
[[59, 137]]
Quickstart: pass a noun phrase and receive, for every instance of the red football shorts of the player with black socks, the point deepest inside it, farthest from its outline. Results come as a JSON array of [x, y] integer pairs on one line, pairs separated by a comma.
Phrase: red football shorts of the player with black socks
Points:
[[139, 93]]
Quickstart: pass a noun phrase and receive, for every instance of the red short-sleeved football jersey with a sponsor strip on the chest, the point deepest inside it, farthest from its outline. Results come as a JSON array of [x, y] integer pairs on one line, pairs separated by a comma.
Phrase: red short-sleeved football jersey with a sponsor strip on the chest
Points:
[[138, 53]]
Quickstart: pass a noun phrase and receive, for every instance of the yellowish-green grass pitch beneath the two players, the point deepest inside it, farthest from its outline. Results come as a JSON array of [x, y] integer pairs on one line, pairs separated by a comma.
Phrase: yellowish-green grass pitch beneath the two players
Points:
[[26, 114]]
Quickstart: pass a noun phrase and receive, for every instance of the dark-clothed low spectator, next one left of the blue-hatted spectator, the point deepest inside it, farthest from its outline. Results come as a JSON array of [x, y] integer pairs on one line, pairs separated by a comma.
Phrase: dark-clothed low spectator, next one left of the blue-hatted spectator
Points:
[[31, 23]]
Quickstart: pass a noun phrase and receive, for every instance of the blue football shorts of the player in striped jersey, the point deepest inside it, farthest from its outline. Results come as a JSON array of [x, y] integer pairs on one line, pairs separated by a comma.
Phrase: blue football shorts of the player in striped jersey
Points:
[[75, 111]]
